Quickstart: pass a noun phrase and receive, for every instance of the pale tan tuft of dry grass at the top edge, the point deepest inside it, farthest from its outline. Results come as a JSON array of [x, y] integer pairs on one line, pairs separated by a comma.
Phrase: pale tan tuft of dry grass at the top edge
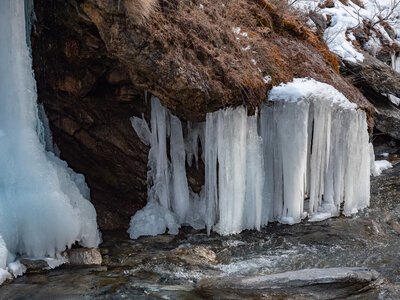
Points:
[[140, 10]]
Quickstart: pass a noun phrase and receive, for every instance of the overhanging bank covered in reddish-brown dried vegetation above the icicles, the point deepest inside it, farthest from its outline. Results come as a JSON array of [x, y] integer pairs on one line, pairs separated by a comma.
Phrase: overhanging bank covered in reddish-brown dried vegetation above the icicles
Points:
[[187, 54]]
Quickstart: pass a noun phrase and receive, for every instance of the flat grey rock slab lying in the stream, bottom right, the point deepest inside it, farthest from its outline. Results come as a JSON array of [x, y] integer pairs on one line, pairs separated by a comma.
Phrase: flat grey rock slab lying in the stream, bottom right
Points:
[[330, 283]]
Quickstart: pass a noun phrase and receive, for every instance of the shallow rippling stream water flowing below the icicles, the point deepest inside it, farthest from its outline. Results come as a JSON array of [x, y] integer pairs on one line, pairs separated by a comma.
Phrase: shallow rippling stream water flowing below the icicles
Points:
[[169, 267]]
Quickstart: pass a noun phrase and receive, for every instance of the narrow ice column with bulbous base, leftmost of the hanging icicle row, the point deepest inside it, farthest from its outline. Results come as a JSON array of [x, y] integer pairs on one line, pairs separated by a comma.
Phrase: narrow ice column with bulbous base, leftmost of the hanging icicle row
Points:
[[168, 193]]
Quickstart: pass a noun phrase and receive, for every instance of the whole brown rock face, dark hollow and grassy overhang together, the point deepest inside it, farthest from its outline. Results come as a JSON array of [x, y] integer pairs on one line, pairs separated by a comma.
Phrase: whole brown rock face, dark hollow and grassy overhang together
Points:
[[94, 60]]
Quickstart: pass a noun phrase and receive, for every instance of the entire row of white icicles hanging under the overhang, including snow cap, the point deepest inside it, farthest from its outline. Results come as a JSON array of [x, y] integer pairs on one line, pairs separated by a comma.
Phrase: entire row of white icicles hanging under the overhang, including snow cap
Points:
[[306, 154]]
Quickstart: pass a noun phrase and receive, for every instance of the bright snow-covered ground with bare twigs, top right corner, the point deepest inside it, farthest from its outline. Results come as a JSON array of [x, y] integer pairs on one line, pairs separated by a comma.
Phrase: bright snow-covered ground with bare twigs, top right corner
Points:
[[378, 18]]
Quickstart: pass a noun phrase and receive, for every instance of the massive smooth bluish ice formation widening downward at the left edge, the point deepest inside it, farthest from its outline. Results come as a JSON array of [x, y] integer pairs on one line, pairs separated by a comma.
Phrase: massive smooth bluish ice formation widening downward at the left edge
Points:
[[43, 203]]
